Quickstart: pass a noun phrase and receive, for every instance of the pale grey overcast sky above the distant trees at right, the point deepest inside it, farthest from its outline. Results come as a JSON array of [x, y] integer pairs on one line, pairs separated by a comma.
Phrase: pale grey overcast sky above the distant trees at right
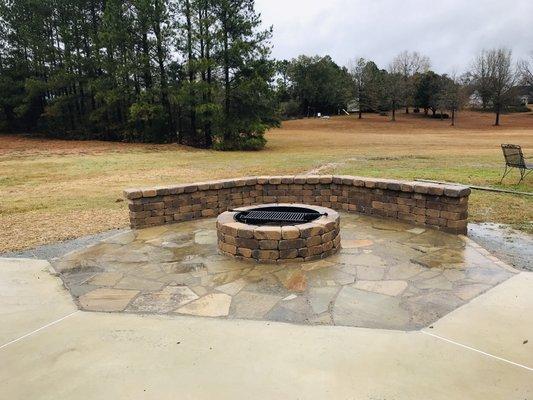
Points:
[[450, 32]]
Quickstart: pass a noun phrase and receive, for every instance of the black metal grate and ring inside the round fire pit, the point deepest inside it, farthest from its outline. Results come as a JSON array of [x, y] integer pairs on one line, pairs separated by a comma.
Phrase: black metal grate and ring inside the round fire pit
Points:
[[277, 216]]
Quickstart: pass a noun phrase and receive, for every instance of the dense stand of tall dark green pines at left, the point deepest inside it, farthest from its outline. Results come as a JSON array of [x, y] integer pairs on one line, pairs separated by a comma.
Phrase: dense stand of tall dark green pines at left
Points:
[[196, 72]]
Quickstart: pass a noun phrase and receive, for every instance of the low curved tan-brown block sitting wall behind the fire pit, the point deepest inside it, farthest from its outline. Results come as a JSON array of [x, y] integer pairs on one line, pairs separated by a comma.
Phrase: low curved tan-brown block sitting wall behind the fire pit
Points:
[[443, 207]]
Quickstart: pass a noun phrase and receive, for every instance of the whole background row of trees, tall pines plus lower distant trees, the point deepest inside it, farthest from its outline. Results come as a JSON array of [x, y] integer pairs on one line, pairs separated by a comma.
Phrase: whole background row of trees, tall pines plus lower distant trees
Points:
[[200, 73]]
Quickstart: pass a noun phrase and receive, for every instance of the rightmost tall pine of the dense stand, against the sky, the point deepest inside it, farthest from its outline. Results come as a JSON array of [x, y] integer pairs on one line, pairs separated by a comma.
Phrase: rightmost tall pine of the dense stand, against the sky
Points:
[[247, 74]]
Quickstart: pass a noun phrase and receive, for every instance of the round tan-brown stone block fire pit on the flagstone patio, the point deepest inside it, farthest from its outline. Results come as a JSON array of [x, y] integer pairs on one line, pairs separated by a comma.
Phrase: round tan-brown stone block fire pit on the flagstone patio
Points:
[[279, 232]]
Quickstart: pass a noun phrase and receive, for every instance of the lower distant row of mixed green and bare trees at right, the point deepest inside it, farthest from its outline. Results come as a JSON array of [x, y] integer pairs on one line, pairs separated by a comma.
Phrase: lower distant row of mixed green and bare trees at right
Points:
[[307, 85]]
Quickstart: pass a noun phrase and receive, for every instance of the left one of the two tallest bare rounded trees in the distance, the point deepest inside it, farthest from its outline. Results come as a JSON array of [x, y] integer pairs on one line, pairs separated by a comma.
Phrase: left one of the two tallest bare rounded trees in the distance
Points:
[[408, 64]]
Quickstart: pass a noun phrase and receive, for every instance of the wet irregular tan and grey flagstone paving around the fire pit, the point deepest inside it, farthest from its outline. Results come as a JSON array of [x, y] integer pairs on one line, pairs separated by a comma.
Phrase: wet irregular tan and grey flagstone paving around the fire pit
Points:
[[388, 275]]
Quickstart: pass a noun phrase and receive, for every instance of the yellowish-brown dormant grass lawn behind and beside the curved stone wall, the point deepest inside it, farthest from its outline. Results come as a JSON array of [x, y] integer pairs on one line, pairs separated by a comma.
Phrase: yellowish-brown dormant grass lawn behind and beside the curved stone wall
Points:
[[53, 190]]
